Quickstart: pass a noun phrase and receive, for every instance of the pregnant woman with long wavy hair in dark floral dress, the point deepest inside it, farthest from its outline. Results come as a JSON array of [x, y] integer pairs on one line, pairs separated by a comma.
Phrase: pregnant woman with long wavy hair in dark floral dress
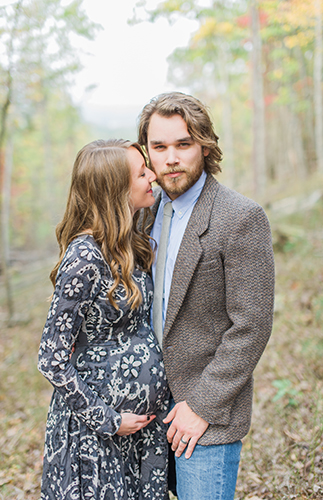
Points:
[[105, 438]]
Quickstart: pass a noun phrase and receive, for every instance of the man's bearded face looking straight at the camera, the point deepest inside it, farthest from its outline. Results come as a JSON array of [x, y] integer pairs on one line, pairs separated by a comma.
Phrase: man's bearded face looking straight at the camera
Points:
[[176, 159]]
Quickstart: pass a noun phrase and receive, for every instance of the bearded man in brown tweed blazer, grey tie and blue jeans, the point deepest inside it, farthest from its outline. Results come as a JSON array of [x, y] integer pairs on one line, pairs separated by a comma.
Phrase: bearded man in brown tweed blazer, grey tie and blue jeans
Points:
[[218, 291]]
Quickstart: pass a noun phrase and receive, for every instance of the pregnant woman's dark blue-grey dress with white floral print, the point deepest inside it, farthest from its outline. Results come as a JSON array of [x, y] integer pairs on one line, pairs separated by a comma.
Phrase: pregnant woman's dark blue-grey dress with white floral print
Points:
[[116, 367]]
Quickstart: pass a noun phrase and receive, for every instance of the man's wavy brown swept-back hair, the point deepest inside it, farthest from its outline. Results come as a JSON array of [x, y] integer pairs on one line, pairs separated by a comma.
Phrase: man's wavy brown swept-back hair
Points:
[[196, 117]]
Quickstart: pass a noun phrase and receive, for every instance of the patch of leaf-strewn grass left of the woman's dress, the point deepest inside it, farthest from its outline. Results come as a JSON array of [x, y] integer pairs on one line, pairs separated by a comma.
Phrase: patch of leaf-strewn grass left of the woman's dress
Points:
[[23, 407]]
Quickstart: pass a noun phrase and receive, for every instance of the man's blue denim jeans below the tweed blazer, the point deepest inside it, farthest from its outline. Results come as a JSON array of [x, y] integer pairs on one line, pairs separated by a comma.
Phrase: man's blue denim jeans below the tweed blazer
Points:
[[209, 474]]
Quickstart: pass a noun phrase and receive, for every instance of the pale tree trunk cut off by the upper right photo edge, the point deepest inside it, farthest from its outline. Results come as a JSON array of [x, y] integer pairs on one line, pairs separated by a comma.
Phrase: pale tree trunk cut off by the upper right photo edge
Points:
[[318, 86]]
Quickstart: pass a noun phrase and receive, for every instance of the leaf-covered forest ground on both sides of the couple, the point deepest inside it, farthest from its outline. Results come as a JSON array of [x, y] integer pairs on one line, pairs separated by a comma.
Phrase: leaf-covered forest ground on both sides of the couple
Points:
[[282, 457]]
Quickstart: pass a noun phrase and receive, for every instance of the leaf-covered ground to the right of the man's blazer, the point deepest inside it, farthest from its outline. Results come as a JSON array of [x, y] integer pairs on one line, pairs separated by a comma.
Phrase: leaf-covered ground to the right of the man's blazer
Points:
[[283, 454]]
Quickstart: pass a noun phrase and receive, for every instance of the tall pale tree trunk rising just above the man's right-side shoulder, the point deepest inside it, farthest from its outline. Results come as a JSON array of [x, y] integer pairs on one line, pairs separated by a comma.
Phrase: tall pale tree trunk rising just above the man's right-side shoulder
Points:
[[259, 150]]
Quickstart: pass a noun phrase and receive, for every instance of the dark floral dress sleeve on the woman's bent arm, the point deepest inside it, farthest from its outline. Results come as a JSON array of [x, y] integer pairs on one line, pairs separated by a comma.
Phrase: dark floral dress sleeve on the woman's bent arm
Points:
[[77, 284]]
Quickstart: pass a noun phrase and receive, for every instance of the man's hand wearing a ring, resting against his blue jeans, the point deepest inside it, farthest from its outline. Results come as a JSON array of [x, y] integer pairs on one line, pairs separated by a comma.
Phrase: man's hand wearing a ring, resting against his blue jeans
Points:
[[185, 430]]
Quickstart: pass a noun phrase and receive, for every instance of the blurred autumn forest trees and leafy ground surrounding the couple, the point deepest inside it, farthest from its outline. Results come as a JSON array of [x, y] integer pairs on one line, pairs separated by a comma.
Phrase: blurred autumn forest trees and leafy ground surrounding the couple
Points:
[[258, 67]]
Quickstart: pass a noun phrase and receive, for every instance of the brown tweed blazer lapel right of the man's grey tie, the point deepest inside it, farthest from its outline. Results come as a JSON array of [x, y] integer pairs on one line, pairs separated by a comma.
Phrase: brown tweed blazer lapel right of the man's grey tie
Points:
[[190, 250]]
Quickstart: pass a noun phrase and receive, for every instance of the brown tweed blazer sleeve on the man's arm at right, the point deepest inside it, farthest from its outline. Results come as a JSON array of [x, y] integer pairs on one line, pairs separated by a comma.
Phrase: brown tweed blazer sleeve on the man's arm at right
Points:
[[249, 289]]
